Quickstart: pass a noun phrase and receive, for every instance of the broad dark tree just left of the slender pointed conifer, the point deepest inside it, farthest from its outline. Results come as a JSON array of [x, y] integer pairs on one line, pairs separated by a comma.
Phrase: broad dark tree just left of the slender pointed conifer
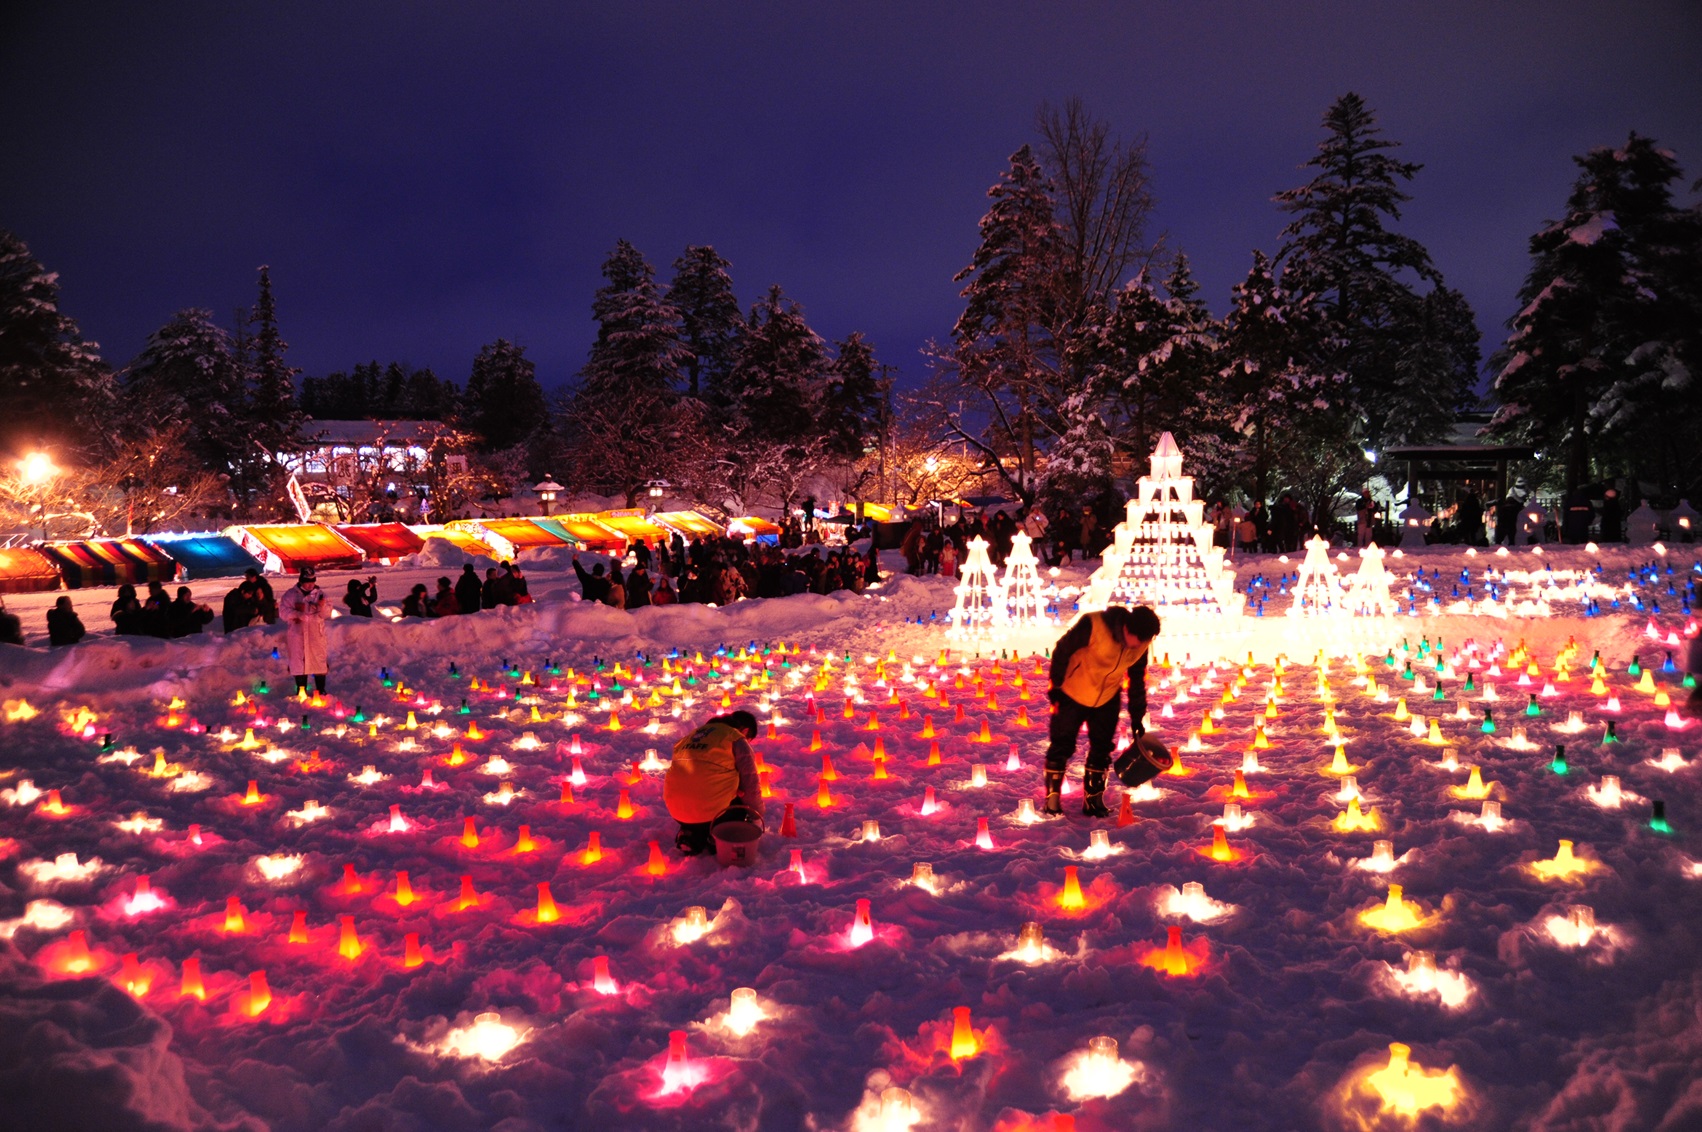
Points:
[[188, 374]]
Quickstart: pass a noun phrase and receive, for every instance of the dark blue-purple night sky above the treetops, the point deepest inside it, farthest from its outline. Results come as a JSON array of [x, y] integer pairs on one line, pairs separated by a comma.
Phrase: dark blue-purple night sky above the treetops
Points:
[[426, 178]]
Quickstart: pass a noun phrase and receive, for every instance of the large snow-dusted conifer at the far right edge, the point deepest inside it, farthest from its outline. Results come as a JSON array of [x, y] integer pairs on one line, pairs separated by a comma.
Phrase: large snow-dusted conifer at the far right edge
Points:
[[1602, 355]]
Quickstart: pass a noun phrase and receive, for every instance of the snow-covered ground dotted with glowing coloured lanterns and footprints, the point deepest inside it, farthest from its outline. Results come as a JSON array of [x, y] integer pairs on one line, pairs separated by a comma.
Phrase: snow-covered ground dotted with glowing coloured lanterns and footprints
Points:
[[1293, 978]]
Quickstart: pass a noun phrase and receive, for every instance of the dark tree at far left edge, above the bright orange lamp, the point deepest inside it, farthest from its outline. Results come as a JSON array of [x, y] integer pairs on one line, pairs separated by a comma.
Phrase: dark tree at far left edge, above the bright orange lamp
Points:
[[52, 382]]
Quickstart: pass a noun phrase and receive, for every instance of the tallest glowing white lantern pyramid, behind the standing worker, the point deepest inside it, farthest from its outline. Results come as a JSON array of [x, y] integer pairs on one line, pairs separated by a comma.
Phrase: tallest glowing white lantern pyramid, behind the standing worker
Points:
[[1162, 554]]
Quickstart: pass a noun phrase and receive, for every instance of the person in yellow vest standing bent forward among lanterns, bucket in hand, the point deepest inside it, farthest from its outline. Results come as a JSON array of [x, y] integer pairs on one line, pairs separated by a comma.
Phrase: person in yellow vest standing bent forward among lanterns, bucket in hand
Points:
[[1090, 666]]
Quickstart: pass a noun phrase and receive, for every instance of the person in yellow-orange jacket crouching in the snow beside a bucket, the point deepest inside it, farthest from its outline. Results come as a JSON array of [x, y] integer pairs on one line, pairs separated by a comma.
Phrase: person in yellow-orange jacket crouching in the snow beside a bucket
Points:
[[712, 775]]
